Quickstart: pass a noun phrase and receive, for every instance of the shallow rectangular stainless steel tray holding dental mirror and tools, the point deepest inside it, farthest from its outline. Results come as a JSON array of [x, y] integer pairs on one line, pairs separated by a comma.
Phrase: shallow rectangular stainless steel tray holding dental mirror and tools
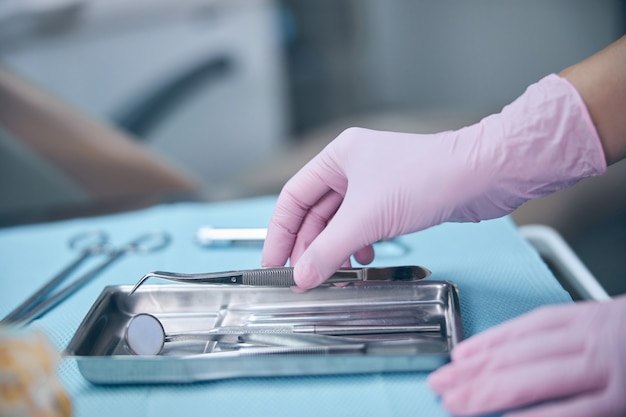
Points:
[[103, 356]]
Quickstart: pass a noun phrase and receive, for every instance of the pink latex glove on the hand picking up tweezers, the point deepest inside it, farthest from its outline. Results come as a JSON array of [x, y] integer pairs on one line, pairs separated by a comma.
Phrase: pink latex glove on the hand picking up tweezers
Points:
[[368, 185]]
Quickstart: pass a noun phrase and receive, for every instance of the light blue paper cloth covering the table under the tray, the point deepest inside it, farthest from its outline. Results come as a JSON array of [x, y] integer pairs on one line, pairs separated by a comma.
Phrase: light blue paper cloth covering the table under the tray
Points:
[[498, 273]]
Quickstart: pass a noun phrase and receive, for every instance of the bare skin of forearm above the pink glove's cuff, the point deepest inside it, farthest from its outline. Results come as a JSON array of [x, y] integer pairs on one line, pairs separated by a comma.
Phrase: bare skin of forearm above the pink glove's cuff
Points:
[[601, 81]]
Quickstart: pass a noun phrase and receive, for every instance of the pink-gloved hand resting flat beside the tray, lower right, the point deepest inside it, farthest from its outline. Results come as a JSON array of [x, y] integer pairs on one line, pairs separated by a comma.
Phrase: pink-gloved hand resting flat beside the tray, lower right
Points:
[[567, 360]]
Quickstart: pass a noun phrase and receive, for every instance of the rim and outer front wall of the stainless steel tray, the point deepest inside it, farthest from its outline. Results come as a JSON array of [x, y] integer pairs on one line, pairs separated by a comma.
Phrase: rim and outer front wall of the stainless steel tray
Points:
[[98, 369]]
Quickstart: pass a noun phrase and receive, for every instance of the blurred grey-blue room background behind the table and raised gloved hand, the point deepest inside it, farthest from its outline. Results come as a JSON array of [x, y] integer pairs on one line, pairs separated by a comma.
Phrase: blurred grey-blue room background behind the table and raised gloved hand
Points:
[[108, 105]]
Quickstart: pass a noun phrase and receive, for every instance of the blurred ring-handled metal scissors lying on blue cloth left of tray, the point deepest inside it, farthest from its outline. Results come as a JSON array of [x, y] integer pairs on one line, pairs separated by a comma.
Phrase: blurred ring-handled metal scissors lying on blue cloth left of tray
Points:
[[90, 243]]
